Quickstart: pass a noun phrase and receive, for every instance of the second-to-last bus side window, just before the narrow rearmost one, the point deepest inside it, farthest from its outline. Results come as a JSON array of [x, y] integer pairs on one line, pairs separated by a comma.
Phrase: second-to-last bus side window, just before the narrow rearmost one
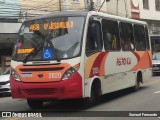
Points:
[[139, 34]]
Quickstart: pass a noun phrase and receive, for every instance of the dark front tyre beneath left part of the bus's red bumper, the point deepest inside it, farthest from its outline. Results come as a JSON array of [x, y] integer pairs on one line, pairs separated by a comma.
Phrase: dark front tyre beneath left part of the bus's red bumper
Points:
[[34, 104]]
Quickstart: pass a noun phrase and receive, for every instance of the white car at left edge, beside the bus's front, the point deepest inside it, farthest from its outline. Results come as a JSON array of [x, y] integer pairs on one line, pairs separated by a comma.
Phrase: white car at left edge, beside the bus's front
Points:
[[5, 83]]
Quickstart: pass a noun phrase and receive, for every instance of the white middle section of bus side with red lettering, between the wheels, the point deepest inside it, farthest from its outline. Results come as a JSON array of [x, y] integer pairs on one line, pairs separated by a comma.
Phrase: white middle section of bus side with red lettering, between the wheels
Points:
[[117, 71]]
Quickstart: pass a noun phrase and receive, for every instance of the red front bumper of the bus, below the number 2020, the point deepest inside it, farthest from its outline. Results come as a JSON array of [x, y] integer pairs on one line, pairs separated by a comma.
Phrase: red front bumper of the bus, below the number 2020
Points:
[[67, 89]]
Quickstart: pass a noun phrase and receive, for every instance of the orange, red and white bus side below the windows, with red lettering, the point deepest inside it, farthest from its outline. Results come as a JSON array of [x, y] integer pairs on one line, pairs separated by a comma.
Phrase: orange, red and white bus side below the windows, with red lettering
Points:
[[117, 69]]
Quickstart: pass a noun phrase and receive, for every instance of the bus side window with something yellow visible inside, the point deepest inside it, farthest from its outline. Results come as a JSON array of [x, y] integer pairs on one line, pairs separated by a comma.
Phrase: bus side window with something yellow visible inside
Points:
[[110, 35]]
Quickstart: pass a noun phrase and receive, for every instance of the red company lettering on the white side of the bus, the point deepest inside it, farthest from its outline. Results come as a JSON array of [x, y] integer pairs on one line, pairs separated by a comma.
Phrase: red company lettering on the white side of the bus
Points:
[[123, 61]]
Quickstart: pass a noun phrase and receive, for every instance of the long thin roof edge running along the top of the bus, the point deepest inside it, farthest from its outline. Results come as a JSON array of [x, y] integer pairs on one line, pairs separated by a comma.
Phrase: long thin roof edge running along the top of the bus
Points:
[[85, 13]]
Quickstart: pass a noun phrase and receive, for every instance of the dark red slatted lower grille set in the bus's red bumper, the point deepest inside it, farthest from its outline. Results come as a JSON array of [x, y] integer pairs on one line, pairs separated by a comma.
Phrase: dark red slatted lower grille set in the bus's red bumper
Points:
[[37, 91]]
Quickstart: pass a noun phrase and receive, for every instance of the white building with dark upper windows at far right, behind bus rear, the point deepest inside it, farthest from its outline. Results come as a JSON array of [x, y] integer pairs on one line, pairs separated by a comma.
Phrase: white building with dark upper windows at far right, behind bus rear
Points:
[[150, 12]]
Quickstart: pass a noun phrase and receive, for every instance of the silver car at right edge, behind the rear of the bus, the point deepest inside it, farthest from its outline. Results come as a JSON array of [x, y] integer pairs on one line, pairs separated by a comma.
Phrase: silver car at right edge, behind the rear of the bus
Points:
[[156, 62]]
